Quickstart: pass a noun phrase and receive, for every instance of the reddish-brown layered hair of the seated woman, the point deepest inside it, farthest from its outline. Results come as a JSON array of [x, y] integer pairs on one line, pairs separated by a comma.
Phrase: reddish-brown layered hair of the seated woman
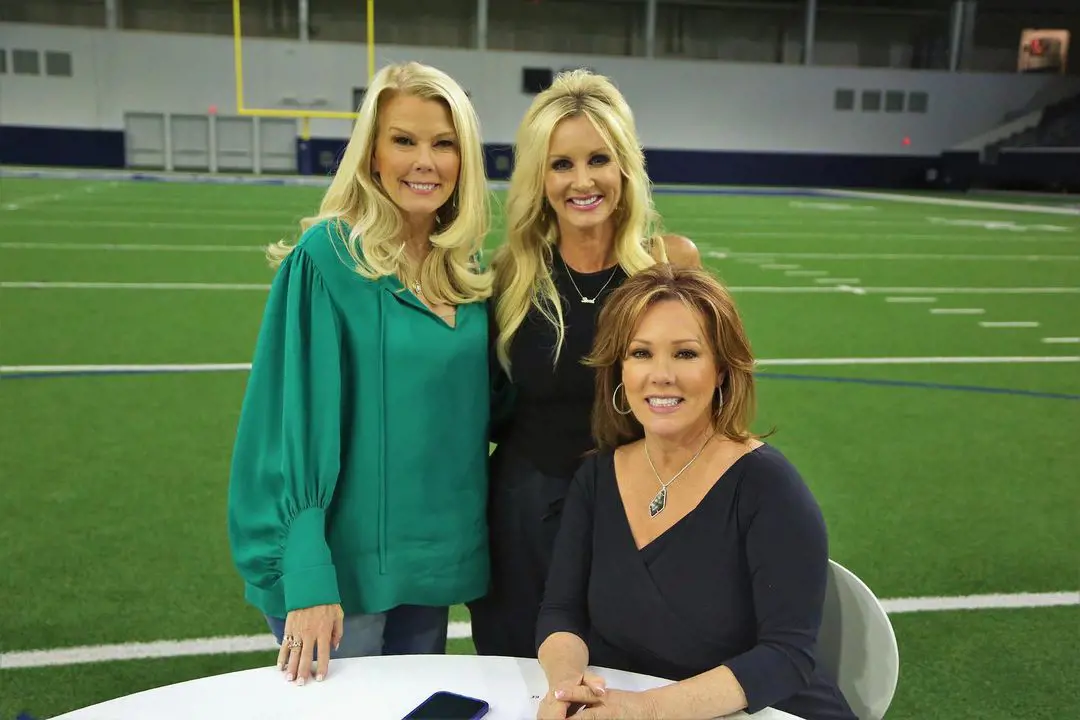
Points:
[[725, 335]]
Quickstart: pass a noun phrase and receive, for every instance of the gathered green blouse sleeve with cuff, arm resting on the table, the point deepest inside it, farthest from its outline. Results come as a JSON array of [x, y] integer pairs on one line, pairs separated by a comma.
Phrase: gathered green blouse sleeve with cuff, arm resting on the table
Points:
[[287, 457]]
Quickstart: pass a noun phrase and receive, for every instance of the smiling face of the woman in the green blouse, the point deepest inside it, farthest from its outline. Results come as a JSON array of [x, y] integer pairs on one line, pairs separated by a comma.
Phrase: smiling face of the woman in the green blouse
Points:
[[416, 155]]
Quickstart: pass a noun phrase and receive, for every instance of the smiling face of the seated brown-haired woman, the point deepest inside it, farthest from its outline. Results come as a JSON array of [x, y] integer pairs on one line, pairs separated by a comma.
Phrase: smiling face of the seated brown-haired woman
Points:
[[670, 373]]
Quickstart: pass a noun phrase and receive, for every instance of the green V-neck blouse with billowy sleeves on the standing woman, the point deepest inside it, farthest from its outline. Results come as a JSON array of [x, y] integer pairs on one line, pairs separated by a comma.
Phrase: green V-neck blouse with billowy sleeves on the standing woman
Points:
[[360, 467]]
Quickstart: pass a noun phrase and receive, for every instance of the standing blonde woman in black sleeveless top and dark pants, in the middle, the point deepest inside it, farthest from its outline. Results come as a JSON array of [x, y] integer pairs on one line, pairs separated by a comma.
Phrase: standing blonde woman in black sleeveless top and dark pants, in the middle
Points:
[[580, 222]]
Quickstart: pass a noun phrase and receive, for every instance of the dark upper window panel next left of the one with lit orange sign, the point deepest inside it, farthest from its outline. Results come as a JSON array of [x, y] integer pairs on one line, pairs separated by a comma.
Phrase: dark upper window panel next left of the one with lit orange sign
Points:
[[882, 36]]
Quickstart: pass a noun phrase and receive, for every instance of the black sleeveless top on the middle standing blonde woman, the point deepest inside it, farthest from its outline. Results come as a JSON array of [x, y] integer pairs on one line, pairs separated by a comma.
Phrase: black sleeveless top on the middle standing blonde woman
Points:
[[550, 425]]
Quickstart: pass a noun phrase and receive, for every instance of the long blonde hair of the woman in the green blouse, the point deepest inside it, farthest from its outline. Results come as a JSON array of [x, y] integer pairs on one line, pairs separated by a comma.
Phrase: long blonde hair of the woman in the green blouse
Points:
[[357, 200]]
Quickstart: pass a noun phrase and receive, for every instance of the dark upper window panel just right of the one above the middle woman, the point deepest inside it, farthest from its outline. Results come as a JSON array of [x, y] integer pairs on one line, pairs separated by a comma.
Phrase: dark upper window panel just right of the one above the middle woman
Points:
[[769, 34]]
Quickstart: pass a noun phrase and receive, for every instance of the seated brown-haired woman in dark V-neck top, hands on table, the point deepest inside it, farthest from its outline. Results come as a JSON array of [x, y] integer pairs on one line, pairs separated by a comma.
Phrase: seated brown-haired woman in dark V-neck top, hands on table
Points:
[[690, 550]]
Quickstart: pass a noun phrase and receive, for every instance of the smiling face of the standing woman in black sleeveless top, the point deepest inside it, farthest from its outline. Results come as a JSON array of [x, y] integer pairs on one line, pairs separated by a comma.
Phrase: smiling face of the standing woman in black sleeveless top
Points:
[[583, 182]]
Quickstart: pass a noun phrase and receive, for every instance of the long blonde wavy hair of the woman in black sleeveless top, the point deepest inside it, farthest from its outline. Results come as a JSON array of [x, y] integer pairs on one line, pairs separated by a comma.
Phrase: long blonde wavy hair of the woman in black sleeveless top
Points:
[[523, 264]]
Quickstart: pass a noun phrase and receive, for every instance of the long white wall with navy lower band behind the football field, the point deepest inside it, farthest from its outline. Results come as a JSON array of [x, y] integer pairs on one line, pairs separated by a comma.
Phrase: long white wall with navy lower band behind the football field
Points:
[[704, 123]]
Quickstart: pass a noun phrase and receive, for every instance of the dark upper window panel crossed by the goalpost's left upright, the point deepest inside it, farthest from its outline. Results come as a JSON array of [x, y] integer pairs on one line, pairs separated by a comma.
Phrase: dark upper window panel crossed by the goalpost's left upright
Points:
[[259, 19]]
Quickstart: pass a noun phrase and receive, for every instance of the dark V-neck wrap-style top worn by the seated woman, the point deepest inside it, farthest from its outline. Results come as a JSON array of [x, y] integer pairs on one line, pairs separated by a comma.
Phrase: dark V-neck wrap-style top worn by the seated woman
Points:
[[739, 581]]
